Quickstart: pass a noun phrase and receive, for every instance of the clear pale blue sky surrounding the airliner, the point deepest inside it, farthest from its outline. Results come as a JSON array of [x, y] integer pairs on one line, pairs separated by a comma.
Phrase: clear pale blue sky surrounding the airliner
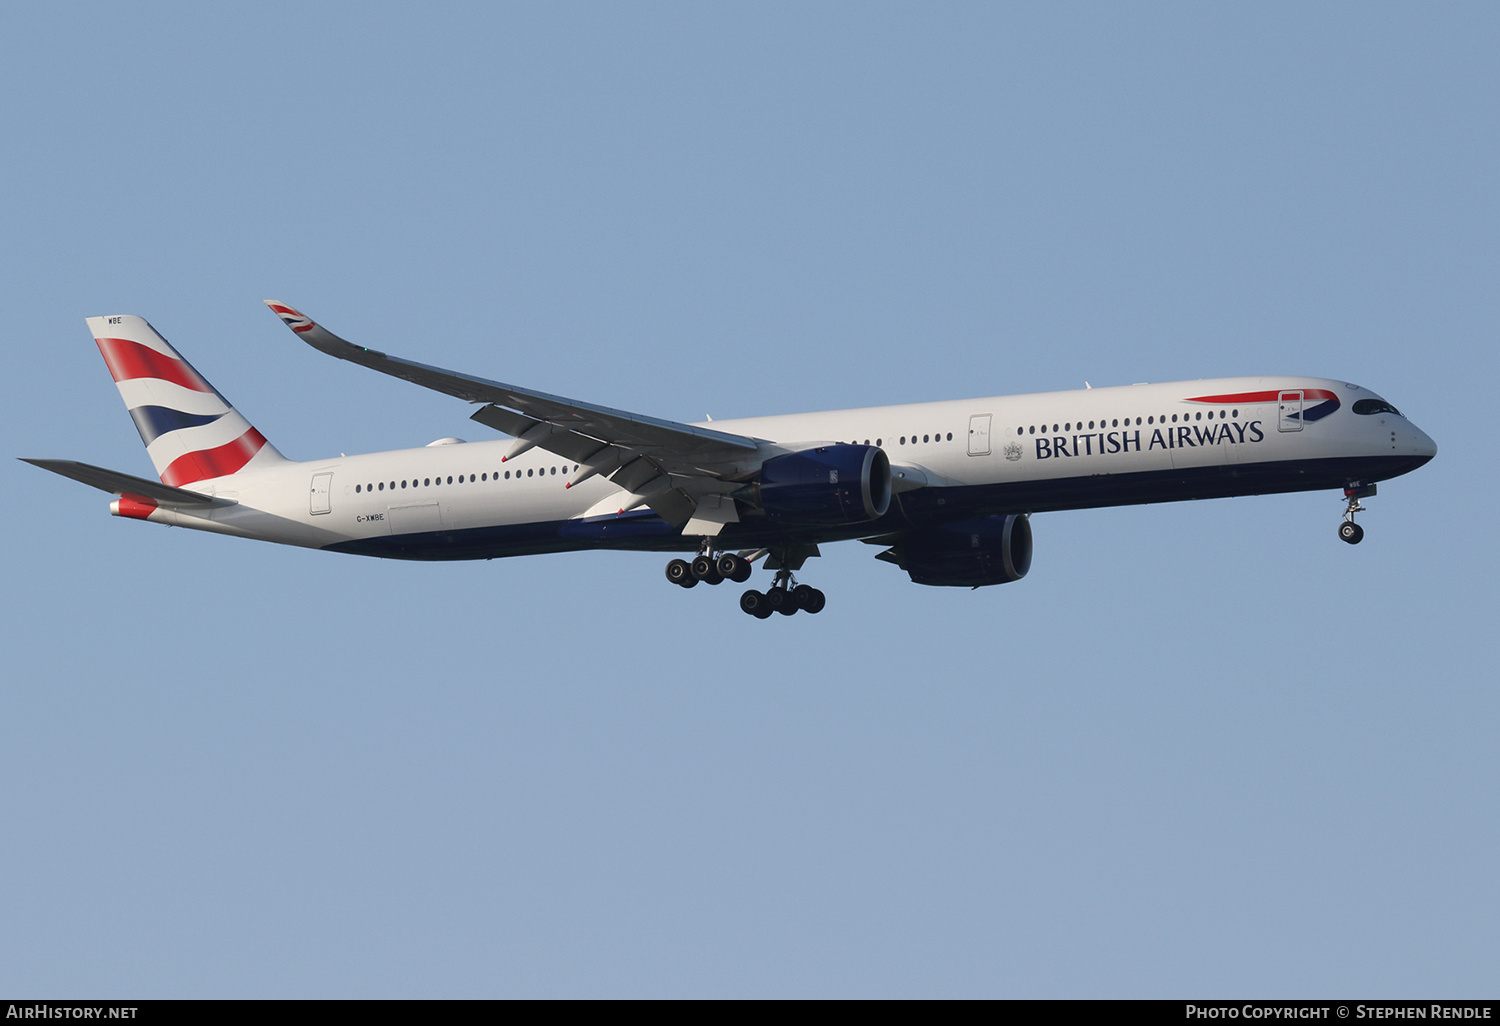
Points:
[[1202, 751]]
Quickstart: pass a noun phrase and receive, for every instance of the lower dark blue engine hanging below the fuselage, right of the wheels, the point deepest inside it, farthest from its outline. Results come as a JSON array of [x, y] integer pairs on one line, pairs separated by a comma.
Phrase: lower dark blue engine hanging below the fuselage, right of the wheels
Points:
[[970, 554]]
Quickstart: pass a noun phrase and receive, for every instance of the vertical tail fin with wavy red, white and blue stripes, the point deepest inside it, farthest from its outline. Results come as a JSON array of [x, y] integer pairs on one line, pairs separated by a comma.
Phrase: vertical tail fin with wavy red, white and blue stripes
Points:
[[191, 433]]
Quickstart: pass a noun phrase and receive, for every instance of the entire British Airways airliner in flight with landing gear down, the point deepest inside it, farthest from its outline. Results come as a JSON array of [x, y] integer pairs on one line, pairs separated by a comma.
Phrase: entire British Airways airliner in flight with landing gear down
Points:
[[946, 490]]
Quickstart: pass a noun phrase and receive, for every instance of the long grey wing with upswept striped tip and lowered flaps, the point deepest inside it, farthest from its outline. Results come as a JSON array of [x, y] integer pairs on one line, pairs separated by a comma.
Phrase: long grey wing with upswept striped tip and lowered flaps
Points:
[[662, 464]]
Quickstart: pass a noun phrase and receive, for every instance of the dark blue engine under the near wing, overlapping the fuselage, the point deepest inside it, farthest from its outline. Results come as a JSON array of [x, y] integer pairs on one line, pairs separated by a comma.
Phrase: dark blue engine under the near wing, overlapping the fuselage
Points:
[[827, 485]]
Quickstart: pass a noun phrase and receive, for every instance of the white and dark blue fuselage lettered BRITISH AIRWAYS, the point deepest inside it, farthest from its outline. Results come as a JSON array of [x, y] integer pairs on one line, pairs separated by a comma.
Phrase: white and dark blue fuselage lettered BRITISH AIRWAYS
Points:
[[961, 458]]
